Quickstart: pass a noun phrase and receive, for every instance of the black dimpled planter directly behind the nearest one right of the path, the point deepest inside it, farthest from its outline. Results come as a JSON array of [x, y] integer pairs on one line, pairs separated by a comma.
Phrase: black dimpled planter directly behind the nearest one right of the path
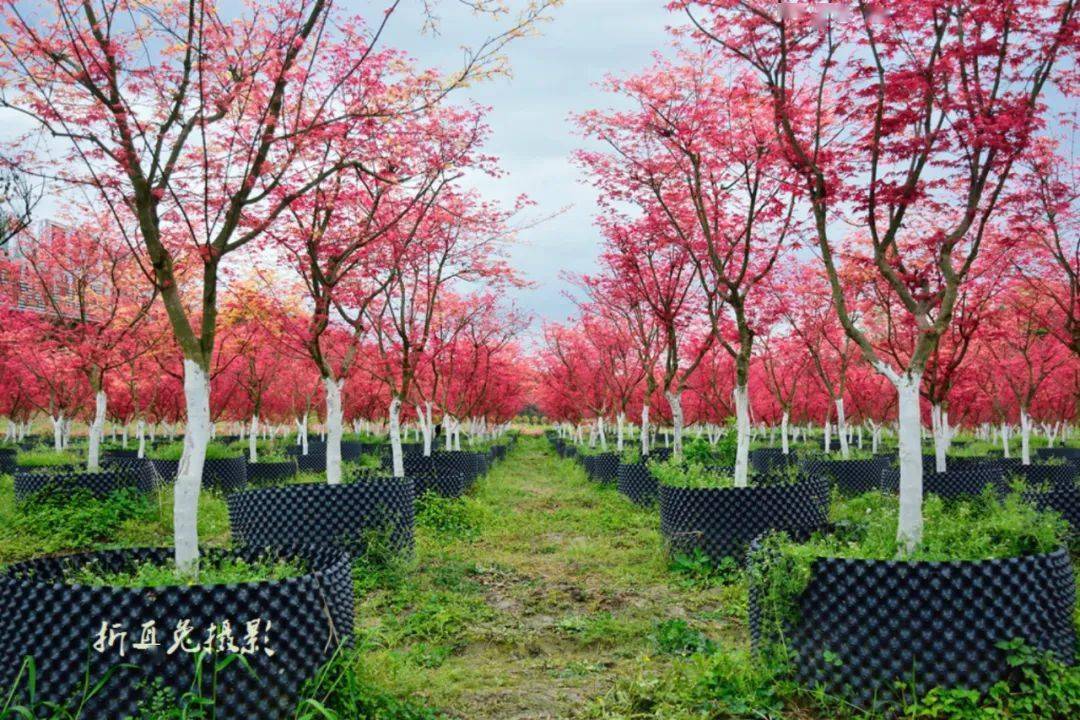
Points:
[[723, 522]]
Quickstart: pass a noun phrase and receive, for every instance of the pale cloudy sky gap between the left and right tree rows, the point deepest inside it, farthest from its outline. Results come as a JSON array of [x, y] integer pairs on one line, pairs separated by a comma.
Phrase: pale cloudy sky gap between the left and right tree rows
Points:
[[555, 76]]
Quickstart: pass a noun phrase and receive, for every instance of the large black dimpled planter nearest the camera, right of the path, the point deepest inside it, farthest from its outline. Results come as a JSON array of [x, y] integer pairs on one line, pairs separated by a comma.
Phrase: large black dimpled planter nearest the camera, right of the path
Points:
[[865, 626]]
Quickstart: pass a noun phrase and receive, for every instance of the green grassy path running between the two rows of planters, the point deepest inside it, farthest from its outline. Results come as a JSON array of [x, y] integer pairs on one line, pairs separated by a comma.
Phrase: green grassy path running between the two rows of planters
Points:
[[533, 597]]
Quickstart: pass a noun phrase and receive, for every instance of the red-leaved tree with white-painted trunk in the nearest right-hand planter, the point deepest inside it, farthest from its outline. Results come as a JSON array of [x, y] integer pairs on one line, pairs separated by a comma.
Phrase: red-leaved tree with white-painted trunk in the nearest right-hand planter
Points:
[[908, 121]]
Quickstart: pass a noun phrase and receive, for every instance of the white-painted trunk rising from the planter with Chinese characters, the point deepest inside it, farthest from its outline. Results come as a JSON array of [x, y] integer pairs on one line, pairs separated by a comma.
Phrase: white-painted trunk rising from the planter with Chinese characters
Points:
[[190, 472]]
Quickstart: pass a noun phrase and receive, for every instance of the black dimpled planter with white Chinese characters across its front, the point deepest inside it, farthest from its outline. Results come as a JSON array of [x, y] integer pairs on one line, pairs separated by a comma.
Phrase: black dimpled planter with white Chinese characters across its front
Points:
[[302, 622]]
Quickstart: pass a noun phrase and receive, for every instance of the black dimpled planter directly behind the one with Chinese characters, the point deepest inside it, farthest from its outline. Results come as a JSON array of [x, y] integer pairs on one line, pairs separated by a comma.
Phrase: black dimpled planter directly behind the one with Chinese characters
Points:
[[319, 514]]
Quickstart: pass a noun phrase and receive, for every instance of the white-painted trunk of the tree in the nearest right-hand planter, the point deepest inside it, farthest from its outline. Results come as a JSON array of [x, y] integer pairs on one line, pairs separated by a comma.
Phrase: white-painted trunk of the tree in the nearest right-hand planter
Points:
[[910, 526]]
